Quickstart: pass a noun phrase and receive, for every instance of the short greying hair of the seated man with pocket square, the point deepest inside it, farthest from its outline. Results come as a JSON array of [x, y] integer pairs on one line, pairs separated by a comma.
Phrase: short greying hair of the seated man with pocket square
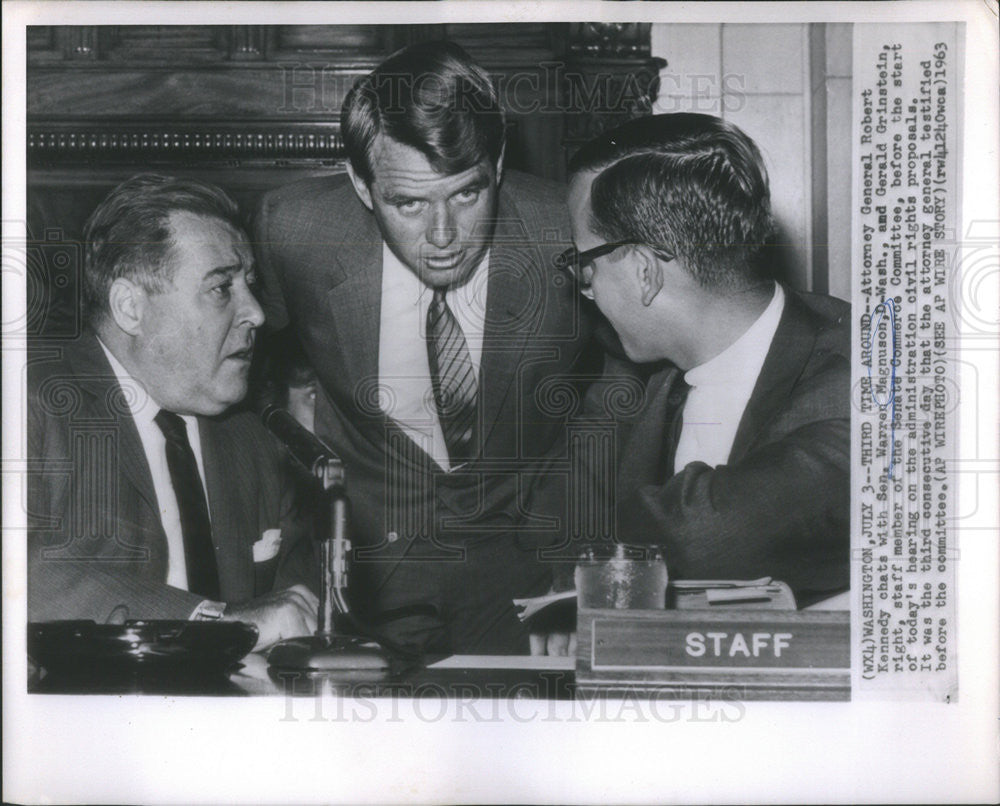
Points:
[[129, 234]]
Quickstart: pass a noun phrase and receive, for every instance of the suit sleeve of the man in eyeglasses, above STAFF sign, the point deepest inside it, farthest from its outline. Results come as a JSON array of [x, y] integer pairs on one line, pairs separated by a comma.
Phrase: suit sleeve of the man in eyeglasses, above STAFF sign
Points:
[[782, 510]]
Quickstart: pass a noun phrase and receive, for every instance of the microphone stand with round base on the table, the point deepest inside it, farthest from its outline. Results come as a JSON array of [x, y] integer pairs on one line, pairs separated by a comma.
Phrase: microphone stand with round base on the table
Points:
[[333, 657]]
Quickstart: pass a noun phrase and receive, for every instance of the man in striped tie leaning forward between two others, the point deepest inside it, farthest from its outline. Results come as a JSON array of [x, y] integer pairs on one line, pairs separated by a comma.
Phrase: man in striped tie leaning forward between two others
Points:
[[419, 287]]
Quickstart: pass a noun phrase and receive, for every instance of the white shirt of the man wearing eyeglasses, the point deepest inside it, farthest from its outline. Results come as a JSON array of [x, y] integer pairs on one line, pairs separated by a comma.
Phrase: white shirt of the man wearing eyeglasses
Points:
[[721, 389]]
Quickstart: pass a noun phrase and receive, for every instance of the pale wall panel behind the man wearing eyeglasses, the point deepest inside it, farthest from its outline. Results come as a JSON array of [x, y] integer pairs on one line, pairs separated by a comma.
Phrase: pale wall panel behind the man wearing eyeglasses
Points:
[[788, 86]]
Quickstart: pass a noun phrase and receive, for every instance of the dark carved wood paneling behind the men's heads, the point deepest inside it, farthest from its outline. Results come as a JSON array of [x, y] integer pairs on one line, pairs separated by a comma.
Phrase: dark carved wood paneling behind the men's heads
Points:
[[251, 107]]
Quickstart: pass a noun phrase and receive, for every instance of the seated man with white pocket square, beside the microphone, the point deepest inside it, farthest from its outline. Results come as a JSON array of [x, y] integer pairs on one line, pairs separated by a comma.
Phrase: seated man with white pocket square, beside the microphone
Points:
[[149, 498]]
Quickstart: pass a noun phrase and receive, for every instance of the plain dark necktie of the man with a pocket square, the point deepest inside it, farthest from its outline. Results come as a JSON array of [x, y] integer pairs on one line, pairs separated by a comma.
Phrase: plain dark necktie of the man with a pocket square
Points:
[[199, 554]]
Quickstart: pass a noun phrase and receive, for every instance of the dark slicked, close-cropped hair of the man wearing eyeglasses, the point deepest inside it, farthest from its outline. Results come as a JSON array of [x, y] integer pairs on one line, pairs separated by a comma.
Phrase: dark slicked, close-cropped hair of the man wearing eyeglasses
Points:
[[693, 186]]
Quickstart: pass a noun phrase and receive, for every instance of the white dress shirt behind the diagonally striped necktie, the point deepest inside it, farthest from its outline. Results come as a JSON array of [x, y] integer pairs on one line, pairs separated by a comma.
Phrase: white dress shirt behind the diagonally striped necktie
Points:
[[406, 393]]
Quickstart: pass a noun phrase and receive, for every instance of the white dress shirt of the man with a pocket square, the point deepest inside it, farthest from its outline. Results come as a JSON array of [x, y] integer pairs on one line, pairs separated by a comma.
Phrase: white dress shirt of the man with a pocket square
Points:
[[144, 409]]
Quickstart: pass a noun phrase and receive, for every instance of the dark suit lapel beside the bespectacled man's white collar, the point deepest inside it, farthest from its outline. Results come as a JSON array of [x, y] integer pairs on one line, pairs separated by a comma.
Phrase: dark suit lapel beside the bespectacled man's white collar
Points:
[[790, 350]]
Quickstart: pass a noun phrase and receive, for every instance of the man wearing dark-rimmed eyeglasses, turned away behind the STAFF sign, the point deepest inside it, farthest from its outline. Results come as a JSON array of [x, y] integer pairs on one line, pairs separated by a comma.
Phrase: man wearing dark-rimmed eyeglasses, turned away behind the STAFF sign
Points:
[[738, 463]]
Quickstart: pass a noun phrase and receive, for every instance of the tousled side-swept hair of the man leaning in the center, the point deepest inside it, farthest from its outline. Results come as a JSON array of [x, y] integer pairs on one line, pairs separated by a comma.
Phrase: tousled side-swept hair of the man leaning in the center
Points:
[[431, 97]]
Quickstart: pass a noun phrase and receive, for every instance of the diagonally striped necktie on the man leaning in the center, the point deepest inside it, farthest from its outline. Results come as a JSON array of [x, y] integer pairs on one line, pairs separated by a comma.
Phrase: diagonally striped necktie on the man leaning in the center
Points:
[[454, 379]]
